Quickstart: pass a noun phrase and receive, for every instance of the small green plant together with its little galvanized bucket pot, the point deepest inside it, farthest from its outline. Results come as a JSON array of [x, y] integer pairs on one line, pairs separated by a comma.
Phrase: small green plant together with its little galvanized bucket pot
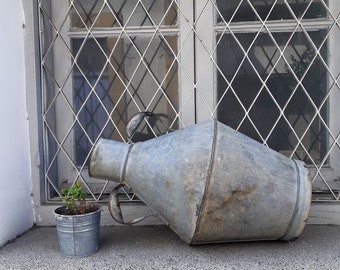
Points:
[[78, 223]]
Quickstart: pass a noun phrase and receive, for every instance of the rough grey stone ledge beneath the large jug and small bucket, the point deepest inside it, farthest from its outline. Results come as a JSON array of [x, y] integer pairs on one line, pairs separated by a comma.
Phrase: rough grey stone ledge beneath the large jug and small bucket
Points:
[[157, 247]]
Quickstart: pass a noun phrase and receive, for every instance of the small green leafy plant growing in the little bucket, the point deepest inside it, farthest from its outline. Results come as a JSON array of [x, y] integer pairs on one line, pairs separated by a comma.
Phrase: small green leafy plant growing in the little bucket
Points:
[[74, 198]]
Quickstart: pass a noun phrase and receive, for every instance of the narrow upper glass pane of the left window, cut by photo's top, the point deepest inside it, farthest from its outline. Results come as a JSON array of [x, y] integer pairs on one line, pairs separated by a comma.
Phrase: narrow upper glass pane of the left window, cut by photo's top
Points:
[[117, 13]]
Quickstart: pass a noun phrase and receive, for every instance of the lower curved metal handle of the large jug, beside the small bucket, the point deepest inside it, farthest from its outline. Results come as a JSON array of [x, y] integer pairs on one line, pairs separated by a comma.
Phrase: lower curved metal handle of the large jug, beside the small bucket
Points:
[[115, 209]]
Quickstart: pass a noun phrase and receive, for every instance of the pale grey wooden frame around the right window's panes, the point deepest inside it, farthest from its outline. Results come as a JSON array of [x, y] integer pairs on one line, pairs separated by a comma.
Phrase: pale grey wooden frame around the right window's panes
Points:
[[322, 175]]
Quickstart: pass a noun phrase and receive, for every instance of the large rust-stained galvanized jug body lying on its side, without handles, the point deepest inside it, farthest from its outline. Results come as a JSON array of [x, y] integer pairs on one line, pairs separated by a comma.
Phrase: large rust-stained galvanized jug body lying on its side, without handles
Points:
[[211, 184]]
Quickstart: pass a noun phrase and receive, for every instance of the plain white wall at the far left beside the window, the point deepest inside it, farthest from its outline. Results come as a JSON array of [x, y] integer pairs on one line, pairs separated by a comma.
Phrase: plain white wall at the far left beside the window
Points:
[[16, 211]]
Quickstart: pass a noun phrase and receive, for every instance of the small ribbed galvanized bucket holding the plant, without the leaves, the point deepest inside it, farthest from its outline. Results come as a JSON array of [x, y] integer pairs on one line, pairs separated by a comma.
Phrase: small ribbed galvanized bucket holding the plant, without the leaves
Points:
[[78, 234]]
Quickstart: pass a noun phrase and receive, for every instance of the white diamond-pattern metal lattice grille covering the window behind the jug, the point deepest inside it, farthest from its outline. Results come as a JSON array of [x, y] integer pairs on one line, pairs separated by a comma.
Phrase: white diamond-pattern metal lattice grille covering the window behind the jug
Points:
[[264, 67]]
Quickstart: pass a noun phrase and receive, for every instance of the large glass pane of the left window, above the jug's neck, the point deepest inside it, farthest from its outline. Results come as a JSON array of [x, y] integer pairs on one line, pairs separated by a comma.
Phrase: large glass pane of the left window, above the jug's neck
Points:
[[107, 94]]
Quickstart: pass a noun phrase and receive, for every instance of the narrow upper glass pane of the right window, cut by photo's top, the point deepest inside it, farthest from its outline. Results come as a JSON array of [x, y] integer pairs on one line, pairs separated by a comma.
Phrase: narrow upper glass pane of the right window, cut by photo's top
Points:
[[238, 11]]
